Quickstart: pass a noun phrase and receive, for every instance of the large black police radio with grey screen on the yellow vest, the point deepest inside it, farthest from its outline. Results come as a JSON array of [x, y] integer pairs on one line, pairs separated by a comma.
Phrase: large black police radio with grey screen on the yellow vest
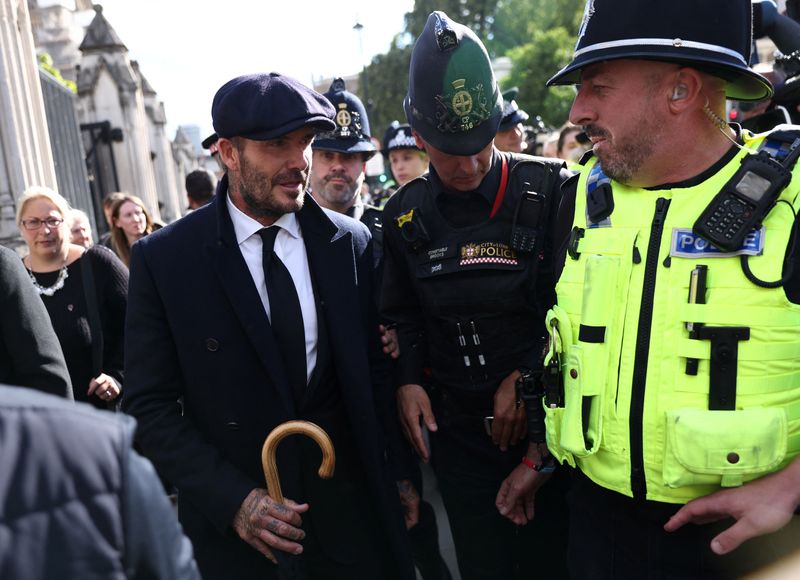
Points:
[[743, 202]]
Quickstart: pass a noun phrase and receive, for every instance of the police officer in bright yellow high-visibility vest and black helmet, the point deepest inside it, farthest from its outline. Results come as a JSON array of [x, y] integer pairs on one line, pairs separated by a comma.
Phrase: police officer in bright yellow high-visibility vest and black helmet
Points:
[[677, 327]]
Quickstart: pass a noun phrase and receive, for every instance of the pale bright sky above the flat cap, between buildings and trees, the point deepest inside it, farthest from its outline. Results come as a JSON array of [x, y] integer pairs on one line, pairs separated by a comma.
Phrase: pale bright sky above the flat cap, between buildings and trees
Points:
[[187, 49]]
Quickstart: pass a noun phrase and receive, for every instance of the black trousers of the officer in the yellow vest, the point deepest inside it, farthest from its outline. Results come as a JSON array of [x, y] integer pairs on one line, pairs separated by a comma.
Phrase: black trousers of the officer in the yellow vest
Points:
[[615, 537]]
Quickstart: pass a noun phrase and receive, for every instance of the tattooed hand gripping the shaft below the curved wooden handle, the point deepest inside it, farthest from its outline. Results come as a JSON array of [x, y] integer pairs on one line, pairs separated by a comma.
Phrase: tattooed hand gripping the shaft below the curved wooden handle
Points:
[[263, 523]]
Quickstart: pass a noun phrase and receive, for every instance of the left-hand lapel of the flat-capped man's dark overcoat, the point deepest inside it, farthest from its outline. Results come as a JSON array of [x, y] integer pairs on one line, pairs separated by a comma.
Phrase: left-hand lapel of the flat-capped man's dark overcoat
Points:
[[235, 279]]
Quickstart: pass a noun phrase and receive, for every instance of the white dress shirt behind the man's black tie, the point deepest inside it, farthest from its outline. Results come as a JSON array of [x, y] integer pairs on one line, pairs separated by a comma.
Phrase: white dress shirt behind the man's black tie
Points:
[[291, 249]]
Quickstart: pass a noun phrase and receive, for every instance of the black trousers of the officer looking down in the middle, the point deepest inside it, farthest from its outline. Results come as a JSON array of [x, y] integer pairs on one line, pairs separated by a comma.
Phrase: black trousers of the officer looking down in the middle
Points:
[[470, 469]]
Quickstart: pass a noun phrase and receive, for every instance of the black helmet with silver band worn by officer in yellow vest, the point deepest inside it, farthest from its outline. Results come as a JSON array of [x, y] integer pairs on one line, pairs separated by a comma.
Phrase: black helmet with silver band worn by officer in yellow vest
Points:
[[714, 36]]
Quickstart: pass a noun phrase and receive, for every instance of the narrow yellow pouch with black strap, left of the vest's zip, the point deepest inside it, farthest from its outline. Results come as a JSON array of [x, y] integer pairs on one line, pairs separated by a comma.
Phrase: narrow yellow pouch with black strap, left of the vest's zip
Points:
[[582, 418]]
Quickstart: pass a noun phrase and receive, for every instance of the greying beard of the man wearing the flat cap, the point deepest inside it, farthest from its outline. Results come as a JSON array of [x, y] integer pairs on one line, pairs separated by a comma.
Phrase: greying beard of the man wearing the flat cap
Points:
[[257, 191]]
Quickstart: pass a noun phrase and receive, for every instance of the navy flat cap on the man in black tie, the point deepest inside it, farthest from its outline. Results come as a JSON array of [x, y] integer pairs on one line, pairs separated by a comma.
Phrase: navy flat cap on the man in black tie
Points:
[[265, 106]]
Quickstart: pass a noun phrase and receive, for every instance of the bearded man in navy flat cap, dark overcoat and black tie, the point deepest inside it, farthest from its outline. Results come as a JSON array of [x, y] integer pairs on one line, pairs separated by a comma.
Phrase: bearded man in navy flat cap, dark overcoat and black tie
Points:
[[212, 376]]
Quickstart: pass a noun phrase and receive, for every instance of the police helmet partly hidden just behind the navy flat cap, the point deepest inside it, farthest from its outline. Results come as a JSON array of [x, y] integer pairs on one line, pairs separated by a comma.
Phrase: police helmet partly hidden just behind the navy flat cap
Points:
[[352, 134]]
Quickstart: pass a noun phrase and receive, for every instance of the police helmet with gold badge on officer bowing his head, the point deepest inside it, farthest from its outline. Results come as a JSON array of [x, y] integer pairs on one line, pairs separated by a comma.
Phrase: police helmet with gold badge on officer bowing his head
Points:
[[453, 101]]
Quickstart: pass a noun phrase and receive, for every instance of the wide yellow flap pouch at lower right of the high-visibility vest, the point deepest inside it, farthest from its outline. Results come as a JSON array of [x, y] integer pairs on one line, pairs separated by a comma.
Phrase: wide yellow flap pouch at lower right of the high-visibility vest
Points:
[[723, 448]]
